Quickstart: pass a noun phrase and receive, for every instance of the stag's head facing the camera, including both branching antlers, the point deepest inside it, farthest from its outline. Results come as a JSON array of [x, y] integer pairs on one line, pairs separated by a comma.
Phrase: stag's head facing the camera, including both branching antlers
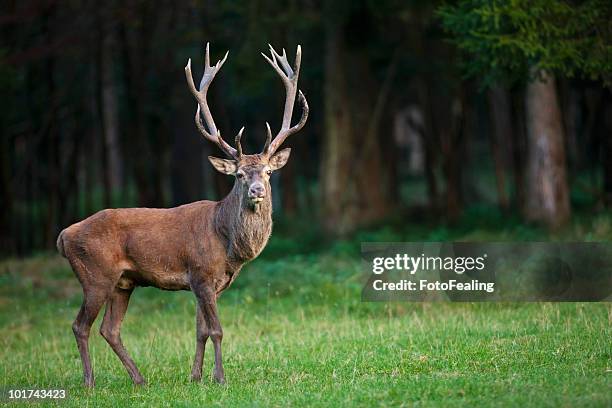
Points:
[[252, 171]]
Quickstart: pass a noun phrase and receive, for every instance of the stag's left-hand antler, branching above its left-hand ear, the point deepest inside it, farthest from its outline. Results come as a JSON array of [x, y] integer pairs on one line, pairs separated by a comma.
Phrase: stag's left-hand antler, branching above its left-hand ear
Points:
[[213, 133]]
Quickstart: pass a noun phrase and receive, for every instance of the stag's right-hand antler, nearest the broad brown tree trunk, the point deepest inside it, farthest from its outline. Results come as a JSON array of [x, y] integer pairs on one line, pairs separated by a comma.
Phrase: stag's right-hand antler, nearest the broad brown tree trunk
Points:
[[289, 77]]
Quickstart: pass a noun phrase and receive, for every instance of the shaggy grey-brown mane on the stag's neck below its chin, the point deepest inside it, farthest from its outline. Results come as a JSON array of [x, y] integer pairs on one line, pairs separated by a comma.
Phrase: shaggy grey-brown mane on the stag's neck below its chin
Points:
[[245, 227]]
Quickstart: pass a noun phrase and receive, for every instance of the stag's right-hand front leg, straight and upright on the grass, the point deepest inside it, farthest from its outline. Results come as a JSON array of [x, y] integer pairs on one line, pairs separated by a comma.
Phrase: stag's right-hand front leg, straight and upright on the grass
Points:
[[207, 302]]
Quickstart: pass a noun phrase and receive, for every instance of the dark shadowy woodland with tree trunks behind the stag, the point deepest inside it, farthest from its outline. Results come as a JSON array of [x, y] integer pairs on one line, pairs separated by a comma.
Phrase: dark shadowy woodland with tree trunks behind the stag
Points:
[[419, 110]]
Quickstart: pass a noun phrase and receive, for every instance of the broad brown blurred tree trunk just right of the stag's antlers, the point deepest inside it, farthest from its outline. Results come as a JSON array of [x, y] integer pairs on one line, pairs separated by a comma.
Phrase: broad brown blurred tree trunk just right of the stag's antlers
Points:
[[354, 182]]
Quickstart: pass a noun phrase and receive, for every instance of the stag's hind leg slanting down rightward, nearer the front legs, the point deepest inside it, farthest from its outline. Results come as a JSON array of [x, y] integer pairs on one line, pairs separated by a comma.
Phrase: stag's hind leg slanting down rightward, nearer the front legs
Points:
[[111, 330]]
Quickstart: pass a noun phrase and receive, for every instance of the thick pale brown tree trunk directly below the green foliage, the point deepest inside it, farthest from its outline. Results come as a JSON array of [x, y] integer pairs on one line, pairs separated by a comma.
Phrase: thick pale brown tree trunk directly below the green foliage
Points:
[[547, 187]]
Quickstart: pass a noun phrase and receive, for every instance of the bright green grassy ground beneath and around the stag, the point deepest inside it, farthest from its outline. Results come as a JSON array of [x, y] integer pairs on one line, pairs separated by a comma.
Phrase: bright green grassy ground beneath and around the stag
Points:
[[296, 333]]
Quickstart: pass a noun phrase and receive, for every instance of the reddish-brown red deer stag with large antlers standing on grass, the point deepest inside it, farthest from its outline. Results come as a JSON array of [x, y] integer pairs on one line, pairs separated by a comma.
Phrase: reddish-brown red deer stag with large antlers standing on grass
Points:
[[199, 246]]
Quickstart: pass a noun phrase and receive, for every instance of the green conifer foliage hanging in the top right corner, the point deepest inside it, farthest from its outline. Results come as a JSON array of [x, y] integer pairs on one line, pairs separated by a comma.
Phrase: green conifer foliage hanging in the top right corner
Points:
[[505, 39]]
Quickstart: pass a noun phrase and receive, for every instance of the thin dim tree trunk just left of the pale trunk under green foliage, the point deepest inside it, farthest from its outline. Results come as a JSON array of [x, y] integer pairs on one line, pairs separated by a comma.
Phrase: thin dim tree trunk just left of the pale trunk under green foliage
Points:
[[502, 131]]
